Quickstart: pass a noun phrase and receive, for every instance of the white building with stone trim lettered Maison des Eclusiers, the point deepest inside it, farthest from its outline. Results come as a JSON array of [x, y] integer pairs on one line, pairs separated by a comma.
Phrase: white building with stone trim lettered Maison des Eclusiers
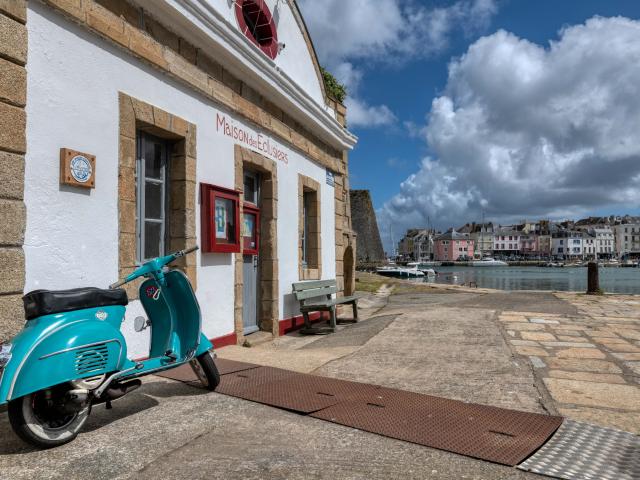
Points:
[[208, 124]]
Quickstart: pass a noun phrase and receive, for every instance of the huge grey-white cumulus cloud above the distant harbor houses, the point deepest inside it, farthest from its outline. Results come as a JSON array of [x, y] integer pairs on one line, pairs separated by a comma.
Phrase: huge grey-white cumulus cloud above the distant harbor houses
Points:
[[523, 130]]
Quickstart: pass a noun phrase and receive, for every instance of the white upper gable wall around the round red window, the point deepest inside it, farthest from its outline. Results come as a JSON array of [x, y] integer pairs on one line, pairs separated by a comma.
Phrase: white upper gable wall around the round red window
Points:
[[294, 60]]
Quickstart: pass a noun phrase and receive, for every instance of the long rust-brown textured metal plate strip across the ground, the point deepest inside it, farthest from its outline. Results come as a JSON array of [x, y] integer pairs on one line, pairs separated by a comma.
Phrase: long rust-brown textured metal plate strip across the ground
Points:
[[489, 433]]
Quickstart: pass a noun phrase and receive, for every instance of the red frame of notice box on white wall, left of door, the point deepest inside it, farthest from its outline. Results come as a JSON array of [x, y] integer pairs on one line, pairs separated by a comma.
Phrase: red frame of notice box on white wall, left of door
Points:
[[208, 195]]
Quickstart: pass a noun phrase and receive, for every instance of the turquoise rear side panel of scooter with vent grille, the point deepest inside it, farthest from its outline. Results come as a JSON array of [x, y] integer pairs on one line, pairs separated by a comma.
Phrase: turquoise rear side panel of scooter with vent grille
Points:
[[57, 348]]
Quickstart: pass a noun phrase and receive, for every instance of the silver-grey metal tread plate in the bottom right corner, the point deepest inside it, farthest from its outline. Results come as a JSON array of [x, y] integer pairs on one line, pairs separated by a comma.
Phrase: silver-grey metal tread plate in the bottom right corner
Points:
[[587, 452]]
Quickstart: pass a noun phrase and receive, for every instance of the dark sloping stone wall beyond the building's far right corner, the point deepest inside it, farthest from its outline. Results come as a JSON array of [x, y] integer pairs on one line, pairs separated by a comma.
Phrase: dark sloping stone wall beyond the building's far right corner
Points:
[[363, 217]]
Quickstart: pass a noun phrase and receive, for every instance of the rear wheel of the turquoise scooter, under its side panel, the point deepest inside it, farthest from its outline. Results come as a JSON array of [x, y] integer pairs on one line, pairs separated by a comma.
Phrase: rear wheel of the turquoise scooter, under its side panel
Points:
[[37, 425]]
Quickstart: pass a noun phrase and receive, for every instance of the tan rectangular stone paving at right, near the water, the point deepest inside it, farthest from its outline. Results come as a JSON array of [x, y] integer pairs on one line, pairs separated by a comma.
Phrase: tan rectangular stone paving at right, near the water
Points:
[[590, 361]]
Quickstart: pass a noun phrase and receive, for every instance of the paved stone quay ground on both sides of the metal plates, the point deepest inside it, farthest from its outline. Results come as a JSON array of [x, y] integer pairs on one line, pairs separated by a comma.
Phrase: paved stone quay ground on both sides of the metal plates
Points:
[[555, 353]]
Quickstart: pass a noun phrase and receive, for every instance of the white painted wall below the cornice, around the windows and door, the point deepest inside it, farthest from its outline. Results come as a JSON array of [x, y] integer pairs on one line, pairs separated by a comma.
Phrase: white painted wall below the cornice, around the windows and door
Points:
[[71, 237]]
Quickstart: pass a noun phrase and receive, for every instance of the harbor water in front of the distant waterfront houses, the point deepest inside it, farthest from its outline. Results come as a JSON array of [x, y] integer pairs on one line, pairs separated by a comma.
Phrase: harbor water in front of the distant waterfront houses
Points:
[[612, 279]]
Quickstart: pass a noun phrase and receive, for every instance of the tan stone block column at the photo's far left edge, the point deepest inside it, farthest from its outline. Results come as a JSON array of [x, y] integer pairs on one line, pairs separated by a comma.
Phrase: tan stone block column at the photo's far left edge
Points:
[[13, 98]]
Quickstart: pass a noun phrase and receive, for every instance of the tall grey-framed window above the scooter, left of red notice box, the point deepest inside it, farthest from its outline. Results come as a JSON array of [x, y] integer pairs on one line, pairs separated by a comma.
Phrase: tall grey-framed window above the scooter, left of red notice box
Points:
[[152, 172]]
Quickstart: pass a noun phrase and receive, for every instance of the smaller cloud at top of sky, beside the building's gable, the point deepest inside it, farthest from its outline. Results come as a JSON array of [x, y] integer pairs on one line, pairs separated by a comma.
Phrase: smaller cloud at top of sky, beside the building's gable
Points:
[[348, 33]]
